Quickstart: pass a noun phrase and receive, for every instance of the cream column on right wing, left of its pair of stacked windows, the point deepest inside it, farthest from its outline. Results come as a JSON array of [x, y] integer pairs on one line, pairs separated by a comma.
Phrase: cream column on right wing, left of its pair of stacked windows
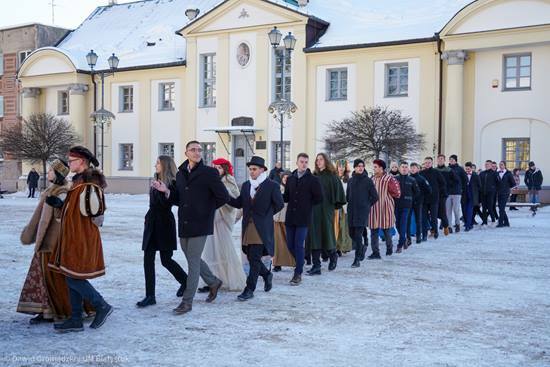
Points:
[[454, 102]]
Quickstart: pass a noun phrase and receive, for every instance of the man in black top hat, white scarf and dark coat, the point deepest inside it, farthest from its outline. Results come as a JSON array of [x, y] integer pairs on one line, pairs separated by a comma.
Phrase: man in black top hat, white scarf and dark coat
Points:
[[260, 199]]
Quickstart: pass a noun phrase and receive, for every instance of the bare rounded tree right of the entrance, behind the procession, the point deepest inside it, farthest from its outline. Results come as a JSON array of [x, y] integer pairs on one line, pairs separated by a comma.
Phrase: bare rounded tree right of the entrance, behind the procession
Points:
[[373, 133]]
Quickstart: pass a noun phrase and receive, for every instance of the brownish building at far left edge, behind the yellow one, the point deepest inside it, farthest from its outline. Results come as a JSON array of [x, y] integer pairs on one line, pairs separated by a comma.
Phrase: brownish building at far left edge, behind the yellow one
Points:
[[16, 44]]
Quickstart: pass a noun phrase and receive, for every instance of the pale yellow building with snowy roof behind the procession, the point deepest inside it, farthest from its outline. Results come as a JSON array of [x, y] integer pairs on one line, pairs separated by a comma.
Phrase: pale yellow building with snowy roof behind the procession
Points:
[[475, 84]]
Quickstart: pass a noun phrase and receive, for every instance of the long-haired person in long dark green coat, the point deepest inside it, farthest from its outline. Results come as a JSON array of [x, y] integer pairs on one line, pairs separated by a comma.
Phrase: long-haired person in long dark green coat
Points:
[[321, 236]]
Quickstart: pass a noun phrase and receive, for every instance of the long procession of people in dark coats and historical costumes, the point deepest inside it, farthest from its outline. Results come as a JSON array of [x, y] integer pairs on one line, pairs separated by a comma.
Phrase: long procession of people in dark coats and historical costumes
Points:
[[304, 217]]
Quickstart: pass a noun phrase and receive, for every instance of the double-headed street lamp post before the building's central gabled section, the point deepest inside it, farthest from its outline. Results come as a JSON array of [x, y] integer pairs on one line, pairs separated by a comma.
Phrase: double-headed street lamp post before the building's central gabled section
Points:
[[282, 107]]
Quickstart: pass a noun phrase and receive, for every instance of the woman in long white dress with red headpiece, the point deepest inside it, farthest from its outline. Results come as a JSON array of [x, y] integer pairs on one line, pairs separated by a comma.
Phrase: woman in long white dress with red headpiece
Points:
[[220, 252]]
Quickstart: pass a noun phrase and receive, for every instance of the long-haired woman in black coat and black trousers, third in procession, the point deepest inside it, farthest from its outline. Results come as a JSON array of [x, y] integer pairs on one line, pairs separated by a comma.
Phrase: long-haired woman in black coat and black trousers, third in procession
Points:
[[159, 233]]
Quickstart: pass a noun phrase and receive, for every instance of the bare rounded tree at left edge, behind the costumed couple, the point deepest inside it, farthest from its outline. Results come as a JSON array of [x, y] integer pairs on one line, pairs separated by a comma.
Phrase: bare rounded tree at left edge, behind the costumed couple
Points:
[[41, 138]]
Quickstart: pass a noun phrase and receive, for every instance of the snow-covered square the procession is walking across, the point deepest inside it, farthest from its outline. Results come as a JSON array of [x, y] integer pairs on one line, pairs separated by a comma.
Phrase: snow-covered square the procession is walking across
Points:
[[471, 299]]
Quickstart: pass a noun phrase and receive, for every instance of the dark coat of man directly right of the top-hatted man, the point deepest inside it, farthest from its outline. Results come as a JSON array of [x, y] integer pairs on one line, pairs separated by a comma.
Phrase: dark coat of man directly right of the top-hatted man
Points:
[[301, 194]]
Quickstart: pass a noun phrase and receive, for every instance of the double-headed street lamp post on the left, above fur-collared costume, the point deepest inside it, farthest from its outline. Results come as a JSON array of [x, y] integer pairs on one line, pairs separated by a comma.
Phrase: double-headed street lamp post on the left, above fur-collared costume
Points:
[[102, 116]]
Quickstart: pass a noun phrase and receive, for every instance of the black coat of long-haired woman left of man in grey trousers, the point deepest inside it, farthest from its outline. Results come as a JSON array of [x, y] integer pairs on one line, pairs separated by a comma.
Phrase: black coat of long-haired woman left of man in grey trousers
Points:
[[159, 232]]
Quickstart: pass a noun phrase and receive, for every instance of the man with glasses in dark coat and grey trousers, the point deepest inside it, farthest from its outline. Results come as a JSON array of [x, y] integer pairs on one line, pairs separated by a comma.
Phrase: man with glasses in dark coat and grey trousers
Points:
[[199, 192]]
